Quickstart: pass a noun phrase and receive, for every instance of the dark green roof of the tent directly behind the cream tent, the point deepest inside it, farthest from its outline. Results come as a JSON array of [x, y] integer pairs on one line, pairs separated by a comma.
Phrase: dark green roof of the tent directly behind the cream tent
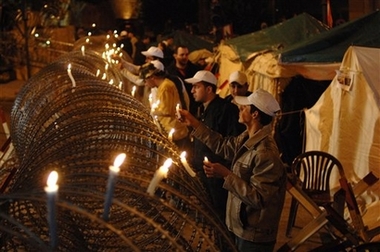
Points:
[[330, 46]]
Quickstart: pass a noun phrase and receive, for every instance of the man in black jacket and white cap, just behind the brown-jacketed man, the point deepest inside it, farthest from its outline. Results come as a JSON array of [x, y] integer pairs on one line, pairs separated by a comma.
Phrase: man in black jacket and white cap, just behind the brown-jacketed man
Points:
[[218, 115]]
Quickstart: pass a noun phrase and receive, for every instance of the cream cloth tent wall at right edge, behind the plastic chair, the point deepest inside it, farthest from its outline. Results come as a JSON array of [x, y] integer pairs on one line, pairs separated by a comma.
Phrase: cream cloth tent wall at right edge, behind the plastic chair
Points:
[[345, 121]]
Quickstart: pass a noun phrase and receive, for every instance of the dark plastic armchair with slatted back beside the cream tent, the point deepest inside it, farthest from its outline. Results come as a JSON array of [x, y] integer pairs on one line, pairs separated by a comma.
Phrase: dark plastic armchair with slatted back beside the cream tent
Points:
[[313, 169]]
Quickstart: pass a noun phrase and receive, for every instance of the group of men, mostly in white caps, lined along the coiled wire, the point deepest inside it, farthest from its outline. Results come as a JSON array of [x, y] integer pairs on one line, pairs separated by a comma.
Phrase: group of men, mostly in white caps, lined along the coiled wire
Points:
[[228, 140]]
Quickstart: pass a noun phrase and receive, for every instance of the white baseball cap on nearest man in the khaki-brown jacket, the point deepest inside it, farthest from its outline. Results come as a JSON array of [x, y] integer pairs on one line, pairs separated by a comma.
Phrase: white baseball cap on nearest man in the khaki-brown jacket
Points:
[[262, 100]]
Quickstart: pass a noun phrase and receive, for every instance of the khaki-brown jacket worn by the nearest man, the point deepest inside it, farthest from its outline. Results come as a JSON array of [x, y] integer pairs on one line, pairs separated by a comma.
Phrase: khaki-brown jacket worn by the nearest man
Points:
[[257, 185]]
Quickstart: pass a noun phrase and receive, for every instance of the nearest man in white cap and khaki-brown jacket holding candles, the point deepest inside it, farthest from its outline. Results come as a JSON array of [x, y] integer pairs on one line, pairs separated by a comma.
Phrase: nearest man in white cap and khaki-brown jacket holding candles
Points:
[[256, 180]]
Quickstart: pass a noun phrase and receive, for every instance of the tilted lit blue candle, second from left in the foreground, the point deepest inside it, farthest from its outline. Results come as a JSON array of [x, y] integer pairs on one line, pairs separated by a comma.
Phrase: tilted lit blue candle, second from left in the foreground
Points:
[[114, 170]]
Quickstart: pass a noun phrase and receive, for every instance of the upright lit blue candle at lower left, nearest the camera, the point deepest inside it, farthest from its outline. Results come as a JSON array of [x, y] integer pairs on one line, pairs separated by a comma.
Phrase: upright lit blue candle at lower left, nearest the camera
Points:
[[51, 191]]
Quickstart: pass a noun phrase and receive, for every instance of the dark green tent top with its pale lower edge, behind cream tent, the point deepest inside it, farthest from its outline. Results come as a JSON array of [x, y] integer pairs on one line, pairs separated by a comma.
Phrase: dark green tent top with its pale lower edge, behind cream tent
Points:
[[318, 57]]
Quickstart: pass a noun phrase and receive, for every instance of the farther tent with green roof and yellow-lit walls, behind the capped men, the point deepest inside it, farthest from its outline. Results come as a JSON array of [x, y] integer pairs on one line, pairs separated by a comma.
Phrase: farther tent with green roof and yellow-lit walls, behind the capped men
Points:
[[256, 54]]
